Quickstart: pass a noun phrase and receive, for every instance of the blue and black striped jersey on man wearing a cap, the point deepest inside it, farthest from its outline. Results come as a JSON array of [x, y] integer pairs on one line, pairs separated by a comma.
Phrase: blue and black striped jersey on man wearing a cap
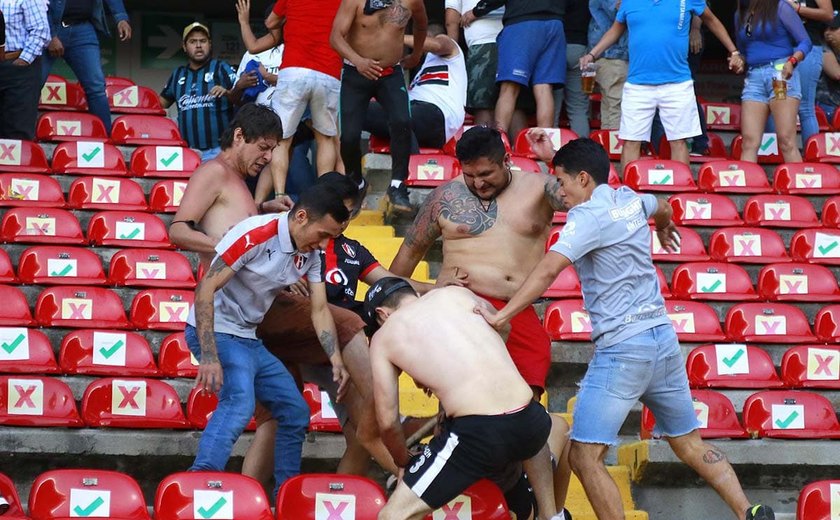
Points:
[[201, 117]]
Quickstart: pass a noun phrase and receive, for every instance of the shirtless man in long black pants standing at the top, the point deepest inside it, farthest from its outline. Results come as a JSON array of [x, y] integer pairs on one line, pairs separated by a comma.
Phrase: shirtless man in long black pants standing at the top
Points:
[[368, 34]]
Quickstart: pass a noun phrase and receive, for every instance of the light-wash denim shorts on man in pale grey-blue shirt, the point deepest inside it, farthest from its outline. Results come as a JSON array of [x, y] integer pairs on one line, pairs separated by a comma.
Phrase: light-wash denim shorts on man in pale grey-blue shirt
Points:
[[647, 367]]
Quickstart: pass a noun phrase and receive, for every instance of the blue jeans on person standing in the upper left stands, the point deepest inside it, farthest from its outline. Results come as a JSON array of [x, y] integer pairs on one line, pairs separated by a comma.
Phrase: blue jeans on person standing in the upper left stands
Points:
[[81, 52]]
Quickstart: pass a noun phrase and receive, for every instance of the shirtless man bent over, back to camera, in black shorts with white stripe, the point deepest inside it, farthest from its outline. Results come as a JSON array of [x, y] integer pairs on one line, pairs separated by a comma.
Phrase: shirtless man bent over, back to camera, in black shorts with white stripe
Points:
[[491, 421]]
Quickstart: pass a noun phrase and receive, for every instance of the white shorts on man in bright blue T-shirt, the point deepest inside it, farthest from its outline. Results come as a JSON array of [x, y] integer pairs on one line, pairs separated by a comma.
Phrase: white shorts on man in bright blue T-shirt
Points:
[[677, 110]]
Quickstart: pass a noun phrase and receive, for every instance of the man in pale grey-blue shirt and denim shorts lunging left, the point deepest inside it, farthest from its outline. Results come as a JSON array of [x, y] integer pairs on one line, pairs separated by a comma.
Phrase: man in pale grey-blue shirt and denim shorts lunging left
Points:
[[637, 355]]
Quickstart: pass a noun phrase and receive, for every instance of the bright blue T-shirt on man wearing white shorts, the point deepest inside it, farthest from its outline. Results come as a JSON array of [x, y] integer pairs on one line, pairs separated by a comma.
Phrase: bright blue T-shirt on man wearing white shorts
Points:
[[658, 39]]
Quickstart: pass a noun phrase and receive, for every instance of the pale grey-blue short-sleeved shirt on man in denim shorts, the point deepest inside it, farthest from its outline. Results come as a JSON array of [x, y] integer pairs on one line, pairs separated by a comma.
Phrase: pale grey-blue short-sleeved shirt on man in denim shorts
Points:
[[608, 240]]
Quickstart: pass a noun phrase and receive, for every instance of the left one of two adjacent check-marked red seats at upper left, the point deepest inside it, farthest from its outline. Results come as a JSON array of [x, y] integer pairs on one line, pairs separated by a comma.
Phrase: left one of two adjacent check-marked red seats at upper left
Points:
[[88, 158]]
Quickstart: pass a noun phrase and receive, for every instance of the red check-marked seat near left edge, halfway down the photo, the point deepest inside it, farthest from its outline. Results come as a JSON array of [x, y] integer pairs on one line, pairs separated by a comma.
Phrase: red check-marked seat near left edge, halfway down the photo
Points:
[[60, 265]]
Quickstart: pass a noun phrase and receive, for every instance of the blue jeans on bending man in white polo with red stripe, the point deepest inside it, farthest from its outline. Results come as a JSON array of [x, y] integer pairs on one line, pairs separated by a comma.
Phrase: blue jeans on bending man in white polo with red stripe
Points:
[[251, 373]]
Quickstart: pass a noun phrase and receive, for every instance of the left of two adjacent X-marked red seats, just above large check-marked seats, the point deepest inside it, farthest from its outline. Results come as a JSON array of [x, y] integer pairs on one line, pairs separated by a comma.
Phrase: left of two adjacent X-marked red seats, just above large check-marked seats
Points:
[[80, 306]]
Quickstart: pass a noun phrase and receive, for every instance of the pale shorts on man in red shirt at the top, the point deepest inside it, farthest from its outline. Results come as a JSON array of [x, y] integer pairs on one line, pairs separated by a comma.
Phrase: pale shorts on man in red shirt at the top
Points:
[[298, 88]]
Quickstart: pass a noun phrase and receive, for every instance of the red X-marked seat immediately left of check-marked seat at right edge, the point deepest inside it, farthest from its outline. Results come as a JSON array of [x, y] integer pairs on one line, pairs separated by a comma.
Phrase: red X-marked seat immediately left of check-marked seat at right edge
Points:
[[747, 245]]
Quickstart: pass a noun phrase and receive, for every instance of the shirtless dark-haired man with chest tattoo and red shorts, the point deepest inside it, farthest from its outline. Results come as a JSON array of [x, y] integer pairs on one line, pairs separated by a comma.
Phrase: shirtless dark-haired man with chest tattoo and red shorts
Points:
[[494, 224]]
